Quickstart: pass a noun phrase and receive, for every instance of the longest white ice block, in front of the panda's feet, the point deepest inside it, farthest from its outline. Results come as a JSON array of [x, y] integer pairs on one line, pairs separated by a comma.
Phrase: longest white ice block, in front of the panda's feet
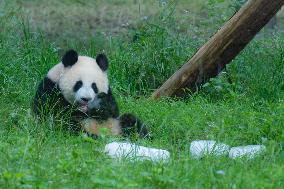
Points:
[[133, 151]]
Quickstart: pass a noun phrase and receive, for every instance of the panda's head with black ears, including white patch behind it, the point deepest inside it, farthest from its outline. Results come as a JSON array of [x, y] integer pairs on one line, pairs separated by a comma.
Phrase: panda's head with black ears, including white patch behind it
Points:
[[81, 78]]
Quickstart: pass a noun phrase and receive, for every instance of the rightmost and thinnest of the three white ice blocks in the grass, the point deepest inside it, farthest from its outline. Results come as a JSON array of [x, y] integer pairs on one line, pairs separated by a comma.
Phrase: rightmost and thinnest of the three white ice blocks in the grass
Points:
[[249, 151]]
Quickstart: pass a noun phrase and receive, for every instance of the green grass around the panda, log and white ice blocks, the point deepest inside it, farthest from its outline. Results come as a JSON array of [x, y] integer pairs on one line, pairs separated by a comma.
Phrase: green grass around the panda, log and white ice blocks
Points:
[[244, 105]]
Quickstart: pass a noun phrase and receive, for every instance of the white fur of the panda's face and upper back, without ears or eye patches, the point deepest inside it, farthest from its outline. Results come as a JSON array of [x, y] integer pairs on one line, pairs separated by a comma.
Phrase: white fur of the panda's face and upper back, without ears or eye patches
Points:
[[86, 70]]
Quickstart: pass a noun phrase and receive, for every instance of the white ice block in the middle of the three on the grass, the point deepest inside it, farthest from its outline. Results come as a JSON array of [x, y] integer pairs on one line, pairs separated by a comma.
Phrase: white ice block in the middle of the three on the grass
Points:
[[201, 148]]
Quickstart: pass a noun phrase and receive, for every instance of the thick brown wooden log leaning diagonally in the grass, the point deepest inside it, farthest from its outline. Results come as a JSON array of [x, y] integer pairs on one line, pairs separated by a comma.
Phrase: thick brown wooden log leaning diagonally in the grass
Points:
[[225, 45]]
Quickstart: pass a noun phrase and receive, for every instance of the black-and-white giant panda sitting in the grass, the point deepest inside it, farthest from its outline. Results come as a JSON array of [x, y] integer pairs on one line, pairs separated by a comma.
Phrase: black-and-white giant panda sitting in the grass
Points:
[[77, 90]]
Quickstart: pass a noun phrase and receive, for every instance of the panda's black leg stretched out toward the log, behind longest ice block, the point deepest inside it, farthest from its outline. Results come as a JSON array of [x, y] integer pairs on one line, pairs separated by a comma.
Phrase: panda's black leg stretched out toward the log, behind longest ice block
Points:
[[131, 125]]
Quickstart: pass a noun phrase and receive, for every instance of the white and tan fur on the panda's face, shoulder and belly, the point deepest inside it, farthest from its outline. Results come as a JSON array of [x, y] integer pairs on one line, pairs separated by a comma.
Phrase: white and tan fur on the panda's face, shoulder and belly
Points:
[[86, 70]]
